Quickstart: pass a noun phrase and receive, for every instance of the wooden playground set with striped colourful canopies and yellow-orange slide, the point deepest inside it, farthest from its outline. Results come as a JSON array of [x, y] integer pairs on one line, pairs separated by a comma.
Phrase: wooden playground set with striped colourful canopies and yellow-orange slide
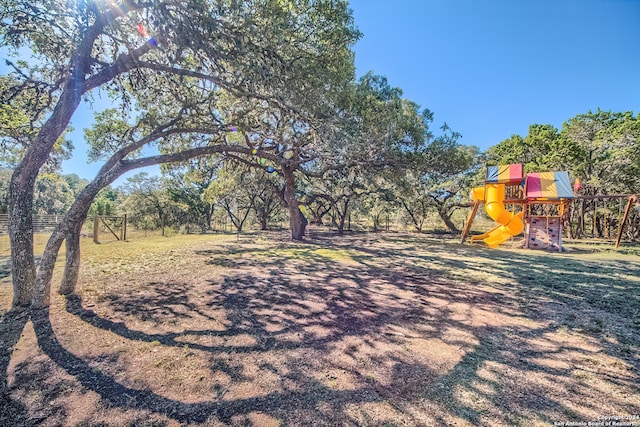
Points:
[[541, 198]]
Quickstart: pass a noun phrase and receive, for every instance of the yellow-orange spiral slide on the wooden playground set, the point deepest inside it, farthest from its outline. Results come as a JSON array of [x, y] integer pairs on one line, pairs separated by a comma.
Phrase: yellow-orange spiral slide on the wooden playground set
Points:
[[509, 224]]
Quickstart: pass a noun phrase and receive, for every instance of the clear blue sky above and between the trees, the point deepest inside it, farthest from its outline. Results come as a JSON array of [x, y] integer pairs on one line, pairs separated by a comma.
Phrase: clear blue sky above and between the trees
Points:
[[489, 68]]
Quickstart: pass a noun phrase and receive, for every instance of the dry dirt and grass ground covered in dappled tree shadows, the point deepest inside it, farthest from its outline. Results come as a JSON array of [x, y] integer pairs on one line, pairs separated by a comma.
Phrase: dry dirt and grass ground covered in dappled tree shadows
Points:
[[363, 330]]
